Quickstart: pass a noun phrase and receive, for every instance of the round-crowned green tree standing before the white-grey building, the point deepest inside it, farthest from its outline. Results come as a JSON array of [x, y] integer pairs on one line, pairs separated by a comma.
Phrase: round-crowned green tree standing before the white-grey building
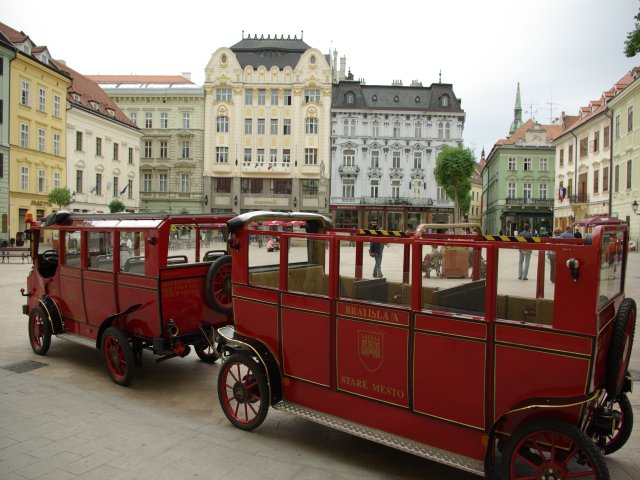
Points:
[[454, 167]]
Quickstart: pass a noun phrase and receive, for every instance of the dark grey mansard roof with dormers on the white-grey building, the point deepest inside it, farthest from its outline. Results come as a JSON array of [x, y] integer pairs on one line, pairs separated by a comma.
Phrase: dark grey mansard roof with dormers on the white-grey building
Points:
[[396, 97]]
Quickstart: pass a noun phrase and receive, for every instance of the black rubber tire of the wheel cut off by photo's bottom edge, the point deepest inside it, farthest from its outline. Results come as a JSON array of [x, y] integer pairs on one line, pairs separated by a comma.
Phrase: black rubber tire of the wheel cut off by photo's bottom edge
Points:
[[586, 452]]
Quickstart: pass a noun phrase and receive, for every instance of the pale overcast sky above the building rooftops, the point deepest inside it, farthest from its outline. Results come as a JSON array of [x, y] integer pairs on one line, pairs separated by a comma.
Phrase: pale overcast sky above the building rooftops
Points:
[[564, 53]]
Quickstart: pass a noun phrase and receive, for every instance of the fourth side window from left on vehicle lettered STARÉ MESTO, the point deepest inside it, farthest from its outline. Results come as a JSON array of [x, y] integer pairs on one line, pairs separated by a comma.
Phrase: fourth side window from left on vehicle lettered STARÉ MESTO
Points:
[[454, 279]]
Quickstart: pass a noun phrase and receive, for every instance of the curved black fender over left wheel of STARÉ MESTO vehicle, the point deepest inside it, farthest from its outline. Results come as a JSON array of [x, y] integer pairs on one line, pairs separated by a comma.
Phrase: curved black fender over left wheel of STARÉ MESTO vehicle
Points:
[[235, 342]]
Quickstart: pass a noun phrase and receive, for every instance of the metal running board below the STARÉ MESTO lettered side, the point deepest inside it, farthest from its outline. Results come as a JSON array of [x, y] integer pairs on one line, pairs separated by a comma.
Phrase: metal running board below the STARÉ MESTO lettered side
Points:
[[378, 436]]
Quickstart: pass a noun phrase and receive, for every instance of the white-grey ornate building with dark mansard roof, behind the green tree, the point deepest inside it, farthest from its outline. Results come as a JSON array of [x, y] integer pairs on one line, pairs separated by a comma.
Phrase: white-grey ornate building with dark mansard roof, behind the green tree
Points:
[[384, 145]]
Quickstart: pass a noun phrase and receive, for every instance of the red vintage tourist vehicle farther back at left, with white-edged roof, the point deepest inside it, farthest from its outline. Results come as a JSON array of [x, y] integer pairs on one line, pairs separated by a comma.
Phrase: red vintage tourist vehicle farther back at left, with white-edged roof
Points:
[[124, 283]]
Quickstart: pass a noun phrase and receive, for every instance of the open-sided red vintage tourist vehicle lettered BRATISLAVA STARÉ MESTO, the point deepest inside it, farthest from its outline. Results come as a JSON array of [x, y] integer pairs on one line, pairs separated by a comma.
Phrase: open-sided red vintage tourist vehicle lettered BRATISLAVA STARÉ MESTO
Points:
[[443, 353]]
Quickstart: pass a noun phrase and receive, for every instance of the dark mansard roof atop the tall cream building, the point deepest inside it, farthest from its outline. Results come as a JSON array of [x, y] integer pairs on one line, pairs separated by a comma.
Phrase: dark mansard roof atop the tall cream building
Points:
[[270, 51]]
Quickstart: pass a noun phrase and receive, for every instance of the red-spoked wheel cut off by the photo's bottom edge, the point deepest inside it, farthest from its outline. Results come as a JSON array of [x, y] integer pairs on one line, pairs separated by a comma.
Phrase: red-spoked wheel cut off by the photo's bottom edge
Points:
[[551, 449]]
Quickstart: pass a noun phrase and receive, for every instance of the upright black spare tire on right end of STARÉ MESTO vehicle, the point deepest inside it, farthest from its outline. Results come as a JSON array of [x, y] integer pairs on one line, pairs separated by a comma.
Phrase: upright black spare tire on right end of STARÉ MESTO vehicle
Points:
[[620, 347]]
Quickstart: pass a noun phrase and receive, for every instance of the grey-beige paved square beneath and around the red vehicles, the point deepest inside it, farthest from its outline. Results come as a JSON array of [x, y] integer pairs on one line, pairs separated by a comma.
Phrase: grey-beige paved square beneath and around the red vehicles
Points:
[[67, 420]]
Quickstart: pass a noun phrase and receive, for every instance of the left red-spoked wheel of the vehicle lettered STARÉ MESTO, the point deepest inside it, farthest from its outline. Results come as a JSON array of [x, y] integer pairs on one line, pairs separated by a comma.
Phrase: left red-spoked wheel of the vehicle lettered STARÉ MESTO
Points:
[[243, 391]]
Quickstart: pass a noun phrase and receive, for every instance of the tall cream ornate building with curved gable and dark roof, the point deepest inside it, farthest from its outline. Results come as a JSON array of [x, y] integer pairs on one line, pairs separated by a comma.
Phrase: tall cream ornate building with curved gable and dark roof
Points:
[[267, 106]]
